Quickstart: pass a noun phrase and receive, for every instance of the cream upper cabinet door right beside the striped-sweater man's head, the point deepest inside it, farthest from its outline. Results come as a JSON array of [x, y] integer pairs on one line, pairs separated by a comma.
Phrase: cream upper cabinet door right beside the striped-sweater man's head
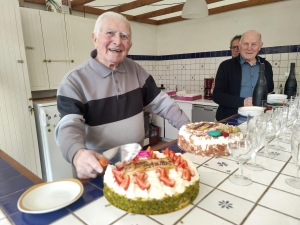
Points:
[[79, 36]]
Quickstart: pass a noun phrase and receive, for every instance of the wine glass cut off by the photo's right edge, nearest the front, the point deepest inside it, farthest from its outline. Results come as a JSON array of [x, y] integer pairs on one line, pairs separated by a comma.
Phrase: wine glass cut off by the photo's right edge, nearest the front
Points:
[[295, 147]]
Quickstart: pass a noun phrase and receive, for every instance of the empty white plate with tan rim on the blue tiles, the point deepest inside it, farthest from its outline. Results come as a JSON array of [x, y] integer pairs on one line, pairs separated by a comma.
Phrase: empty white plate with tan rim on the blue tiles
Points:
[[50, 196]]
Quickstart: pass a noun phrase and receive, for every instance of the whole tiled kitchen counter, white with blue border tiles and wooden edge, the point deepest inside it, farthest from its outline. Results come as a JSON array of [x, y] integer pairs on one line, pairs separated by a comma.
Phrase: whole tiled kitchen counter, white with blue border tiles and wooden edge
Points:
[[268, 200]]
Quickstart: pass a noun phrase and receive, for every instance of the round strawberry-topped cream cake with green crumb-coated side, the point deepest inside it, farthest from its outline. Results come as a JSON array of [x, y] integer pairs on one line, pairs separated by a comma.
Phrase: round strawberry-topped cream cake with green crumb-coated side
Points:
[[152, 183]]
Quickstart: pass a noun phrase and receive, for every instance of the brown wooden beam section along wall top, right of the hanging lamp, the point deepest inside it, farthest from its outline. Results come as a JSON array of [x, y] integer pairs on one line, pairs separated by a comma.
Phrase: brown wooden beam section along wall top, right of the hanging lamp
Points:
[[240, 5]]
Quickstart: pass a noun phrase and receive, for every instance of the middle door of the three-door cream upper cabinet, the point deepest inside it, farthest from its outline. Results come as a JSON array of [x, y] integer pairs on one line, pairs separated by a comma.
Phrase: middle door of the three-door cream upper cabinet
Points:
[[56, 47]]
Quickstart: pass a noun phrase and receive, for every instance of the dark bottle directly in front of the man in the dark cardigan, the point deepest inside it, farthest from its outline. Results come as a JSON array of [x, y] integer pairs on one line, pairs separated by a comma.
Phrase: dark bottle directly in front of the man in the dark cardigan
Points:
[[260, 91]]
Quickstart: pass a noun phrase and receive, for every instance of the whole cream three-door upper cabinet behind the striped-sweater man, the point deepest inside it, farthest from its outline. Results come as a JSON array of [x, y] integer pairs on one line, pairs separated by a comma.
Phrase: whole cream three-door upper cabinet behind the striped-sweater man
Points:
[[54, 43]]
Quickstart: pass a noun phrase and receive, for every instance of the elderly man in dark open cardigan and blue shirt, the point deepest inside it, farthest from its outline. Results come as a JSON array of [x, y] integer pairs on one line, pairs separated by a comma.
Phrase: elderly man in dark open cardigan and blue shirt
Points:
[[236, 77]]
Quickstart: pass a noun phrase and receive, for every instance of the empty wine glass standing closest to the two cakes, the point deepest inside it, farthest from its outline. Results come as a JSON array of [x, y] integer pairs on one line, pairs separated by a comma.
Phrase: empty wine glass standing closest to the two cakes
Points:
[[240, 147]]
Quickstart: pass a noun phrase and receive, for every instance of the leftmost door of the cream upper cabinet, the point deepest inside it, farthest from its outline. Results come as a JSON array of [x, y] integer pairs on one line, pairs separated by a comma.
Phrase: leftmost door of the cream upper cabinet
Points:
[[34, 47]]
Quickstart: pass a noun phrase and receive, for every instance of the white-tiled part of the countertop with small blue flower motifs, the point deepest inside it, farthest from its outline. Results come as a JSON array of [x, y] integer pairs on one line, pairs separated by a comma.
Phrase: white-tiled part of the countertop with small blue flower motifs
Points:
[[268, 200]]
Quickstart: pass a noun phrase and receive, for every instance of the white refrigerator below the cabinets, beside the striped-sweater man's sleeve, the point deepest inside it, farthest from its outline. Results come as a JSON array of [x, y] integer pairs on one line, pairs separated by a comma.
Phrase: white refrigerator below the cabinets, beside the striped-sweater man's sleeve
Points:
[[54, 166]]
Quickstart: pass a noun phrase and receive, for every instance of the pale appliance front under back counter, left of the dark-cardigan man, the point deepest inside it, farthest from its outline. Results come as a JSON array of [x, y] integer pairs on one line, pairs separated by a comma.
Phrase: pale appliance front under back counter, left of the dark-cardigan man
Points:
[[204, 113]]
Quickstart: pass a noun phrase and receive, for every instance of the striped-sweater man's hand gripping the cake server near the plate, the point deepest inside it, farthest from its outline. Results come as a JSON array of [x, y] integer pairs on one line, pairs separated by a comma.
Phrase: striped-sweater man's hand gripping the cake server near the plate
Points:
[[87, 163]]
